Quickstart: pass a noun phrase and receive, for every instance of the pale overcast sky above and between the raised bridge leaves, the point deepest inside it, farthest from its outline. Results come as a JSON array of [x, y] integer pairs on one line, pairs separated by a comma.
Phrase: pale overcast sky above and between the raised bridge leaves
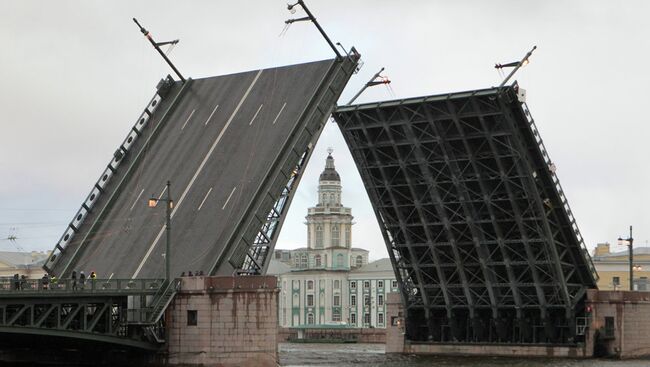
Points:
[[76, 75]]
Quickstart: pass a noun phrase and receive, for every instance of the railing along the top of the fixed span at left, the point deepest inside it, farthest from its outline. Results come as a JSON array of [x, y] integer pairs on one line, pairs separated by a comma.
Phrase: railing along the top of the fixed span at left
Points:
[[126, 286]]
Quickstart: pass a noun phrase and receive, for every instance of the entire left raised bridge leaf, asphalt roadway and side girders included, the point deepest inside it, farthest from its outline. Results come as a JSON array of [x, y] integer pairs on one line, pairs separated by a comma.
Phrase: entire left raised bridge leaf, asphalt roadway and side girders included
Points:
[[233, 148]]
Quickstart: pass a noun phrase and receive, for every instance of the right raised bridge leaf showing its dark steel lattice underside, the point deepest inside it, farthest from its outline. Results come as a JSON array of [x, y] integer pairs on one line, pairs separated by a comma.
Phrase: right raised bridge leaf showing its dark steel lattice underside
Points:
[[478, 229]]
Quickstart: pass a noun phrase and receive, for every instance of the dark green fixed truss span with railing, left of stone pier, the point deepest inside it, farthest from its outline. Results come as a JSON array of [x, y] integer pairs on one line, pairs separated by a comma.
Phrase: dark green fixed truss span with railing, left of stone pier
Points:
[[119, 312]]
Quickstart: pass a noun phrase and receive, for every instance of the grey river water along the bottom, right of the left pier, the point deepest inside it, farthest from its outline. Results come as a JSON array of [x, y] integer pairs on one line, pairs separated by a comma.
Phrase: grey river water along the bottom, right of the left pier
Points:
[[372, 355]]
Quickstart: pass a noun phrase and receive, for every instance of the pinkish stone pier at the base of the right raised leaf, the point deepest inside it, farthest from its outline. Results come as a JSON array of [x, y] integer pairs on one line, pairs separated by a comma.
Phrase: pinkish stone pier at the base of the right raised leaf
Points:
[[617, 325]]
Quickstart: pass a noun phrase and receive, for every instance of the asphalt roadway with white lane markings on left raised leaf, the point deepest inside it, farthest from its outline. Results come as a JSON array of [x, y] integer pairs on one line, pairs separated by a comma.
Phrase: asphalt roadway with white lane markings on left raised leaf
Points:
[[215, 148]]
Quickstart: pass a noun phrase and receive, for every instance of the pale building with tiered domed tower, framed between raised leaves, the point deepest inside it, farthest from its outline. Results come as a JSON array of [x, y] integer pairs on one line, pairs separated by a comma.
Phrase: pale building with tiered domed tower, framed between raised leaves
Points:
[[329, 282]]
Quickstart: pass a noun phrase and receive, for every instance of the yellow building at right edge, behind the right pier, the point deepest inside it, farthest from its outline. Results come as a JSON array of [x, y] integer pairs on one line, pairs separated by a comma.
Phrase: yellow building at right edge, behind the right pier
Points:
[[614, 267]]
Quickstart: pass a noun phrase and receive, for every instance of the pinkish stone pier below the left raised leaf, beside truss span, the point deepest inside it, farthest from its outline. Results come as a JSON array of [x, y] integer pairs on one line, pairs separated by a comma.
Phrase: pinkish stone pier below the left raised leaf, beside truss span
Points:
[[224, 321]]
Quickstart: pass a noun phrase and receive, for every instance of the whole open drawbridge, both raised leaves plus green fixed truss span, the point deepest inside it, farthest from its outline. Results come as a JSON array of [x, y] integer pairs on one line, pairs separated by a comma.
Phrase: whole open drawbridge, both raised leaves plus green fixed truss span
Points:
[[478, 228]]
